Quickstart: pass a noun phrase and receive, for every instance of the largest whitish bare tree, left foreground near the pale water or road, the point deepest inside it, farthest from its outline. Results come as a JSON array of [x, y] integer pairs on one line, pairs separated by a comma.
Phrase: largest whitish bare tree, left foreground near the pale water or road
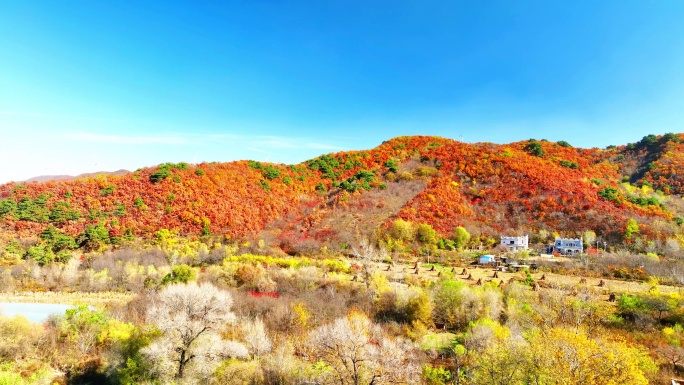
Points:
[[189, 316]]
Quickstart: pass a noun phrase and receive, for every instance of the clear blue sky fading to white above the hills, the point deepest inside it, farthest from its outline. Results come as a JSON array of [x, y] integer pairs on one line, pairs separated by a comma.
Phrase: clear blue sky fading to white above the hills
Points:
[[88, 86]]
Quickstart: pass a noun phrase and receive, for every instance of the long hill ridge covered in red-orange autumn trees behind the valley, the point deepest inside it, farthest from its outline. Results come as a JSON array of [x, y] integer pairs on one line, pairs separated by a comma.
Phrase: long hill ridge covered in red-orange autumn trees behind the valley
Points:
[[533, 187]]
